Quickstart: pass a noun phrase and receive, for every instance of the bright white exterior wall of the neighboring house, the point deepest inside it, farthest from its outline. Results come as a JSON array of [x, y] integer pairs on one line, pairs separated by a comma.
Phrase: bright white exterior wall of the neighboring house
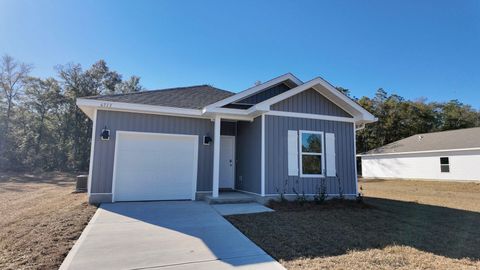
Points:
[[464, 165]]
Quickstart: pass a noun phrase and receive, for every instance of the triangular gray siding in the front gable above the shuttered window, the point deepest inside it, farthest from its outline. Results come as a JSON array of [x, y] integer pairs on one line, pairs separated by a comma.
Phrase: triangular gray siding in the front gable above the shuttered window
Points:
[[310, 101]]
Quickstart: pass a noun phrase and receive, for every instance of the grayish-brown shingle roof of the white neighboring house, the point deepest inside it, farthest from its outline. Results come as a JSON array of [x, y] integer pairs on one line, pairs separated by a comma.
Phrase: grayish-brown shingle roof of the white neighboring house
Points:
[[459, 139]]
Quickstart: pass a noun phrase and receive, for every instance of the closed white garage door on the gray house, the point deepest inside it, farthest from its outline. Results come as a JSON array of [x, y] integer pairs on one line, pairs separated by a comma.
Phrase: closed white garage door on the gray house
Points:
[[153, 166]]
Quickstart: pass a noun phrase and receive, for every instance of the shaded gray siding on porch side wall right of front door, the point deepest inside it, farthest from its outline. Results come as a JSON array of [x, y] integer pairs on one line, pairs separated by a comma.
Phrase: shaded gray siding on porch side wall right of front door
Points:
[[248, 152]]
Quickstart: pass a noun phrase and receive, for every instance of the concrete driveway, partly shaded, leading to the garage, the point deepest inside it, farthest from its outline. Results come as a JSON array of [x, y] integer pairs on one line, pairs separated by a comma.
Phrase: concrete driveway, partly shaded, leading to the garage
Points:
[[164, 235]]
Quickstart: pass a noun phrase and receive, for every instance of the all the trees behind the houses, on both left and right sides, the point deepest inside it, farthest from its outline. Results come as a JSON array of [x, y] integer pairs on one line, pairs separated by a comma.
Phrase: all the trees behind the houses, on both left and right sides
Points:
[[41, 128]]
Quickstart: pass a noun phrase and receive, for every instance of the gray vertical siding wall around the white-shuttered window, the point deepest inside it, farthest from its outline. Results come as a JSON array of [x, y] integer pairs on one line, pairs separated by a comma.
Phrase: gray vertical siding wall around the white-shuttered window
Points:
[[276, 155]]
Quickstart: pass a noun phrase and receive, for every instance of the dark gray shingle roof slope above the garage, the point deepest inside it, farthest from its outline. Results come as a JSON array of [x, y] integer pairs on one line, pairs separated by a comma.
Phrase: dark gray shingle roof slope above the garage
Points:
[[191, 97]]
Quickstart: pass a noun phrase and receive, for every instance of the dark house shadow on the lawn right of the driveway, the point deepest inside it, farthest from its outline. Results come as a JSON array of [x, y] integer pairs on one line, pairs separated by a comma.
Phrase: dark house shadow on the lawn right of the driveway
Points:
[[331, 231]]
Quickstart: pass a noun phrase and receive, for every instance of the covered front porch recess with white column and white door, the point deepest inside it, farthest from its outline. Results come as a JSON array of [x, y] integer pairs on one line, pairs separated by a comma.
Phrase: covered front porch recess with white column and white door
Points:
[[236, 176]]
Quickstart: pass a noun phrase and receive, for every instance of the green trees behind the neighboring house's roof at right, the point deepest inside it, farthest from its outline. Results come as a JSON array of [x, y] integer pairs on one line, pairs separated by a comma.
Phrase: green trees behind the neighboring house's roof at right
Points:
[[399, 118]]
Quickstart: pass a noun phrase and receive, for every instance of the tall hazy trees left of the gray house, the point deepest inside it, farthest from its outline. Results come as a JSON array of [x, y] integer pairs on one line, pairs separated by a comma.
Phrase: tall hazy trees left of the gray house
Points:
[[41, 128]]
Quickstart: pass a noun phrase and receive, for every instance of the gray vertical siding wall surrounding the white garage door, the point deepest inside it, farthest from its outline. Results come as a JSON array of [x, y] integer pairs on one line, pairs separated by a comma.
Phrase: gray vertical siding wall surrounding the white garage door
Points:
[[104, 150]]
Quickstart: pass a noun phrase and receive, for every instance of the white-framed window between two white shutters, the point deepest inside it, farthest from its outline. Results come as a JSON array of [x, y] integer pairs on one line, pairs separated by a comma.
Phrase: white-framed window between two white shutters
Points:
[[311, 153]]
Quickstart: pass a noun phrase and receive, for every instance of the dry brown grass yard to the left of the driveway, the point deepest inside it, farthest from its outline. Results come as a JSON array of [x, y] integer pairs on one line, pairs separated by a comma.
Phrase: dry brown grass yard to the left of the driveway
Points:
[[40, 219]]
